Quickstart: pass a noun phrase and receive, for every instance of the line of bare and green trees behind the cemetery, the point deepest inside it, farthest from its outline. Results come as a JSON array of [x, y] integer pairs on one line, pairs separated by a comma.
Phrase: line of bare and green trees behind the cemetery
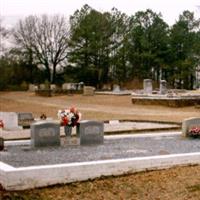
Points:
[[100, 48]]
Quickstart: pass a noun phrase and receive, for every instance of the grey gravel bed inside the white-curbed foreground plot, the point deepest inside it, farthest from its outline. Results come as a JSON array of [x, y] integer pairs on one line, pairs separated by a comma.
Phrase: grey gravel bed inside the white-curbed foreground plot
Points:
[[113, 148]]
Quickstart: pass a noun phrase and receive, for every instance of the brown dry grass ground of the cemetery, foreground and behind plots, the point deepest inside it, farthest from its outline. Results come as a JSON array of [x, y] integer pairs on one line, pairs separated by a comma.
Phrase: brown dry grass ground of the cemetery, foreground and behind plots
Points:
[[177, 183]]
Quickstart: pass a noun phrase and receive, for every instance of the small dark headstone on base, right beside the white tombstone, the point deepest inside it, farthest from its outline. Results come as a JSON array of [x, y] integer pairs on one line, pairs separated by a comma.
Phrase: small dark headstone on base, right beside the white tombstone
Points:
[[25, 119]]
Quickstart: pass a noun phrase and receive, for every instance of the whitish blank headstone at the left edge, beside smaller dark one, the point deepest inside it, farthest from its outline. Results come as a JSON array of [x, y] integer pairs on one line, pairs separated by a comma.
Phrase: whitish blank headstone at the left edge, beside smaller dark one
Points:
[[10, 120]]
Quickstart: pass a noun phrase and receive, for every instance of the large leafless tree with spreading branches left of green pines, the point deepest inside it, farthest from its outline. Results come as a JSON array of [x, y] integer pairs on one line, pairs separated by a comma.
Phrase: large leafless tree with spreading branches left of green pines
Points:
[[45, 38]]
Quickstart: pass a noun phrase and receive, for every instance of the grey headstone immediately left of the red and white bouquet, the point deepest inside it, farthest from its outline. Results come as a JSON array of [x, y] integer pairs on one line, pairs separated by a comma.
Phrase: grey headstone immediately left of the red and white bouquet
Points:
[[45, 133]]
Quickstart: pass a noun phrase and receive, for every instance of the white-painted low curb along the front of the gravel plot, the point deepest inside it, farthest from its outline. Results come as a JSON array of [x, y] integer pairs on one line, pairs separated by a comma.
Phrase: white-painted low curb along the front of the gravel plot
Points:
[[39, 176]]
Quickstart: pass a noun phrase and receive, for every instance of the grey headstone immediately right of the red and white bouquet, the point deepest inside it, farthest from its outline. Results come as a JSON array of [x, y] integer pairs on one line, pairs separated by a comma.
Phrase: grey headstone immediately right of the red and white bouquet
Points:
[[91, 132]]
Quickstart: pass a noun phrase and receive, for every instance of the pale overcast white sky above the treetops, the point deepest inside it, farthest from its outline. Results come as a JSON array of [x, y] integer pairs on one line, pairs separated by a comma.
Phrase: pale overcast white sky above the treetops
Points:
[[13, 9]]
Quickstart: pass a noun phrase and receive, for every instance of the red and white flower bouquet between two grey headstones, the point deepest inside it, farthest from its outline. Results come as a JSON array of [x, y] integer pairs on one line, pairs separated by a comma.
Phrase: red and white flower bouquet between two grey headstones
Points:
[[69, 117]]
